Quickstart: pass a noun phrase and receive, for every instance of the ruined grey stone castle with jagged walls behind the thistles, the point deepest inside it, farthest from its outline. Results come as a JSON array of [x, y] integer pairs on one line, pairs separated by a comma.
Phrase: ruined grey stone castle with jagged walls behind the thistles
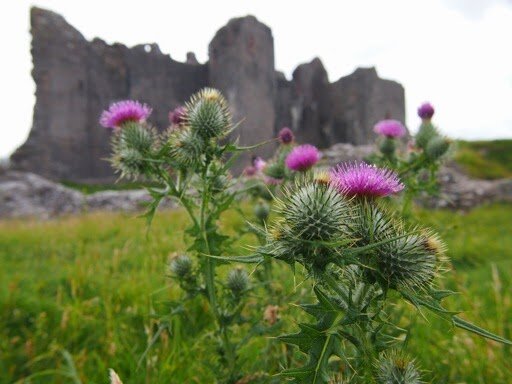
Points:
[[76, 79]]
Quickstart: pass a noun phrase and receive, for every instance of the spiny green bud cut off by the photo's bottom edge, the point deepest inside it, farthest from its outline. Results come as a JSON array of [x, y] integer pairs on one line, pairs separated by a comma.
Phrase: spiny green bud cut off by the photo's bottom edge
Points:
[[396, 368]]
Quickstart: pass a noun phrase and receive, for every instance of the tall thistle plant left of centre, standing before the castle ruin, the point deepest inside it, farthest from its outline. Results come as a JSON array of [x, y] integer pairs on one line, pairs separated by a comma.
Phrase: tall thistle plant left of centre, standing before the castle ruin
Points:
[[188, 163]]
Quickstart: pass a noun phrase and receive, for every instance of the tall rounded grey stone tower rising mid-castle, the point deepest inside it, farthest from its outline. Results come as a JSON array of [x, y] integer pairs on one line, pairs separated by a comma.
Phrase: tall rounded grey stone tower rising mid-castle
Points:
[[241, 66]]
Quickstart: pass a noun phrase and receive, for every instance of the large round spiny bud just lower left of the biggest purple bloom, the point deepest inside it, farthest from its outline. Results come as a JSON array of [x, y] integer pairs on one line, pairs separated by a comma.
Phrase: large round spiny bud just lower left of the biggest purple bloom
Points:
[[314, 212]]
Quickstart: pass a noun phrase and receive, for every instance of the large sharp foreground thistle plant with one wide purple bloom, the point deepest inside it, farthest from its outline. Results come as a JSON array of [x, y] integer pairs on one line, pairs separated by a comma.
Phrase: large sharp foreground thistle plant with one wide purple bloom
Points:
[[362, 260]]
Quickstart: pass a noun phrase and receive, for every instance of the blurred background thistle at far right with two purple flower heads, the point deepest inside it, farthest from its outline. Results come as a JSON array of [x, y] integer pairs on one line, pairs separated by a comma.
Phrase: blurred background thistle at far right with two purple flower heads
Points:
[[419, 164]]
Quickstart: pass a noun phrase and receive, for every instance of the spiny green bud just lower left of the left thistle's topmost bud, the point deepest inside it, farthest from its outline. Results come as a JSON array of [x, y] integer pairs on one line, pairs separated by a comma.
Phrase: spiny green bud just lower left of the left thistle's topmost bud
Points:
[[185, 147]]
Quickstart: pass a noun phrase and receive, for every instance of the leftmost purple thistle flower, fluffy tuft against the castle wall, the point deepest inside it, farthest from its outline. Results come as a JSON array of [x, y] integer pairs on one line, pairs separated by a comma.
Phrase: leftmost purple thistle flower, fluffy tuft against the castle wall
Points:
[[124, 111]]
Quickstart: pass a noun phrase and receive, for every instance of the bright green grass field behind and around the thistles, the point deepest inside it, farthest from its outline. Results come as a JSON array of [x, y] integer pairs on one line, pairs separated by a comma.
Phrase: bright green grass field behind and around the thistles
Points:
[[82, 294]]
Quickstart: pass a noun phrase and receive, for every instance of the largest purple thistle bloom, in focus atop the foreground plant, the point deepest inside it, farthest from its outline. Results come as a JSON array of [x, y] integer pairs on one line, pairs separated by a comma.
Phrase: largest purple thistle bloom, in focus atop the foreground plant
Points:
[[361, 179]]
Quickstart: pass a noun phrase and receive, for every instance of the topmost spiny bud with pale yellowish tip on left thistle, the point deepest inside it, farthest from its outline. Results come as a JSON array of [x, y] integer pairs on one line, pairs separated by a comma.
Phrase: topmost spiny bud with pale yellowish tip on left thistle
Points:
[[208, 115]]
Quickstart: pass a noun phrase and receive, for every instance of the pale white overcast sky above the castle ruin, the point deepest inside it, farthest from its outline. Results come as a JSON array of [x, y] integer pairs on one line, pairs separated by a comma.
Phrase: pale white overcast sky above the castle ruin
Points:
[[453, 53]]
